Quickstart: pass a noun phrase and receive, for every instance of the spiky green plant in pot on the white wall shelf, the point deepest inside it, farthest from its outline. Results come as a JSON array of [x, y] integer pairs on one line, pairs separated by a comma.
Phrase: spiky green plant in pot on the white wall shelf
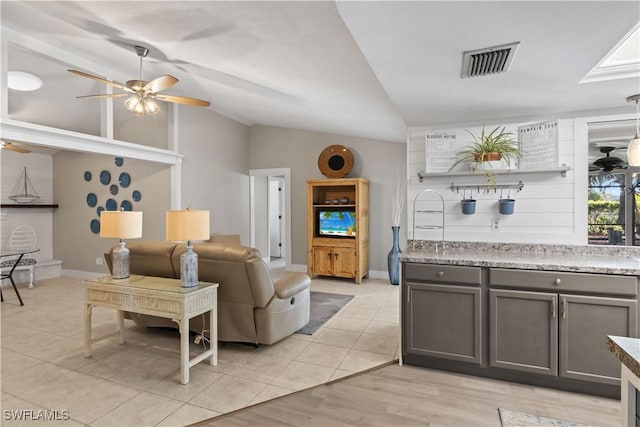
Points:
[[497, 145]]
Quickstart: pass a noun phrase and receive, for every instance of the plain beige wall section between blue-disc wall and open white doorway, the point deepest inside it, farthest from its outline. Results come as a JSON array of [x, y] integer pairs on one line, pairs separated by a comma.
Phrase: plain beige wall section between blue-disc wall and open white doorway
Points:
[[215, 170]]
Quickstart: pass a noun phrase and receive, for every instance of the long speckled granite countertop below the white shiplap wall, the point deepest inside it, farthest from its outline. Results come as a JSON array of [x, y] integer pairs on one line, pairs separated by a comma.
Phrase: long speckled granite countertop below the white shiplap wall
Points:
[[581, 259]]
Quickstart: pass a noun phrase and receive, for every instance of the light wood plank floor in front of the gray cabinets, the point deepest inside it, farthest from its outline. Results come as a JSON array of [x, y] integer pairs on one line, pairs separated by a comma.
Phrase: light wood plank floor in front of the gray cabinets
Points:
[[410, 396]]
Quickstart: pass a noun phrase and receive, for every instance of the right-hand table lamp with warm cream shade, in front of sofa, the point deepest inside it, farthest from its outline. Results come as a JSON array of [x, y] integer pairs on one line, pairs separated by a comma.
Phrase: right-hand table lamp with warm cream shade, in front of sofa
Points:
[[188, 225]]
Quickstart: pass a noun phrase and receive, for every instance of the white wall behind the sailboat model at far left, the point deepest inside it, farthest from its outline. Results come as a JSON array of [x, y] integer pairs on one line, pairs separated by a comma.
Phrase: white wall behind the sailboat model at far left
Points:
[[40, 172]]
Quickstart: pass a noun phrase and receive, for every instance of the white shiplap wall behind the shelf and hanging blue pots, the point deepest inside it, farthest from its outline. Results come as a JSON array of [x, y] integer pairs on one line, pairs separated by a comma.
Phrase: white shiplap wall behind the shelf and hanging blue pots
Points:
[[545, 209]]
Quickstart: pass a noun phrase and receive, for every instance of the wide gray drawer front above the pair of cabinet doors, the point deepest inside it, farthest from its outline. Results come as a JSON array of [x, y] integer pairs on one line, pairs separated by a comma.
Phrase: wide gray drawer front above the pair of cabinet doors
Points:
[[563, 281]]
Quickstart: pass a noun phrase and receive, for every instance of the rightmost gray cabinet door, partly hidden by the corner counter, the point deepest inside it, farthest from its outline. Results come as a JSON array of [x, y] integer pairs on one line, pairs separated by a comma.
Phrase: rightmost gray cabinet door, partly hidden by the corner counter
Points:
[[585, 323]]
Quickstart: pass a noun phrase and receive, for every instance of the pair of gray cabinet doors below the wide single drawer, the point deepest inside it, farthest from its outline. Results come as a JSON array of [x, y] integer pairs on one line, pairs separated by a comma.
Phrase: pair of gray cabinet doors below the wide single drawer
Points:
[[558, 334]]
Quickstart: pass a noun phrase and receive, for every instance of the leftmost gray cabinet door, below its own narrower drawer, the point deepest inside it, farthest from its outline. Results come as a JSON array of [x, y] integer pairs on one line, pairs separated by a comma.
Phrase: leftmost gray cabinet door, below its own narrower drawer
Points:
[[444, 321]]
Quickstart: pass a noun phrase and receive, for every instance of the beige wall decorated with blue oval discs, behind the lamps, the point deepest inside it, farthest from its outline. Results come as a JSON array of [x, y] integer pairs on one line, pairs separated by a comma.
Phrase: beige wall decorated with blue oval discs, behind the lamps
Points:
[[73, 241]]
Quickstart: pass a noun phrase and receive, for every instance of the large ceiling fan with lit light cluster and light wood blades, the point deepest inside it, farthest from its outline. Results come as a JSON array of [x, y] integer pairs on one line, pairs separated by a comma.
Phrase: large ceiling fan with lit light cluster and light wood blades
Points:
[[141, 94]]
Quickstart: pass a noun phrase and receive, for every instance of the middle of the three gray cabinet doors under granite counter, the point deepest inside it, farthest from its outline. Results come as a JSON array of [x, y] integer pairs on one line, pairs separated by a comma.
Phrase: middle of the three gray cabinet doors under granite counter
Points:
[[523, 331]]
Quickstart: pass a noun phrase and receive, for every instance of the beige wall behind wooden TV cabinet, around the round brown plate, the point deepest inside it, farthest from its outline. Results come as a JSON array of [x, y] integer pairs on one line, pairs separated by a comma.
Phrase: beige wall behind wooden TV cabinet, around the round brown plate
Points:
[[375, 160]]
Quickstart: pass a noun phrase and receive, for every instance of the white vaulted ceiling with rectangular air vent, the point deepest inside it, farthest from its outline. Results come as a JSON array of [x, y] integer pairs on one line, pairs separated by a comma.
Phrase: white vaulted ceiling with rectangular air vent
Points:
[[368, 69]]
